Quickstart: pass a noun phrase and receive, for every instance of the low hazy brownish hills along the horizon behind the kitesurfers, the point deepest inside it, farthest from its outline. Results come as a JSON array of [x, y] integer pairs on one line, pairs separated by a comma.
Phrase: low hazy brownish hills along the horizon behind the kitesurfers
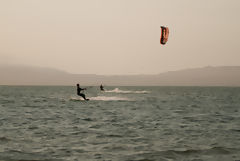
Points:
[[207, 76]]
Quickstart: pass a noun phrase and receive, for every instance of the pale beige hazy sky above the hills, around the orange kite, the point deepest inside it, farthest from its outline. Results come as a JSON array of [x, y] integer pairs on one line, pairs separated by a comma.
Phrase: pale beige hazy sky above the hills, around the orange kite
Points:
[[119, 36]]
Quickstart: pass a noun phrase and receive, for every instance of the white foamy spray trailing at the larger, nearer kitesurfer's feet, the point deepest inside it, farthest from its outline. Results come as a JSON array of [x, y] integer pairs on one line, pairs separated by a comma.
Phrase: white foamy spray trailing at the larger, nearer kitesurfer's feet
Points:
[[101, 98]]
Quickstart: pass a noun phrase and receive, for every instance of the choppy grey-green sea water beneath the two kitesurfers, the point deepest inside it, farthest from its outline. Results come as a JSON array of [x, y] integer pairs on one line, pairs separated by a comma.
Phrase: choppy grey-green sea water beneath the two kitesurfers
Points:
[[46, 123]]
